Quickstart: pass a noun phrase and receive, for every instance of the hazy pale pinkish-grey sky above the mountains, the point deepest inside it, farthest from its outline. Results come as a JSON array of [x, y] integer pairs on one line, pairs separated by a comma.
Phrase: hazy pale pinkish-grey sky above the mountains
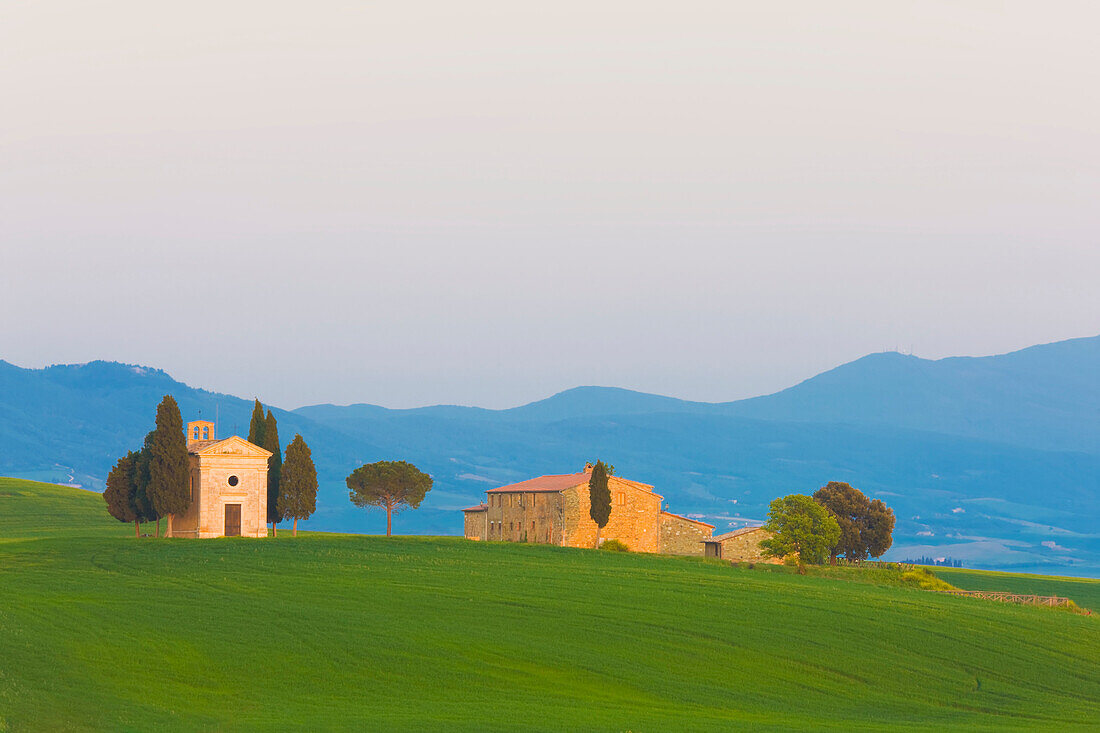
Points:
[[485, 203]]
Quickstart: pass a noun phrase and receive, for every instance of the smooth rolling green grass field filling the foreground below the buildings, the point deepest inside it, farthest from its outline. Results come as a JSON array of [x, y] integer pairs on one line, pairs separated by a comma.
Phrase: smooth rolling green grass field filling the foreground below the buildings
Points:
[[103, 631]]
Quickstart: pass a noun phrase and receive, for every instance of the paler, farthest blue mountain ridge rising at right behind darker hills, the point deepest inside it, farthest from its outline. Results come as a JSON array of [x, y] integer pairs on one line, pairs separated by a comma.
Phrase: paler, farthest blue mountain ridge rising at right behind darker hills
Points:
[[1046, 397]]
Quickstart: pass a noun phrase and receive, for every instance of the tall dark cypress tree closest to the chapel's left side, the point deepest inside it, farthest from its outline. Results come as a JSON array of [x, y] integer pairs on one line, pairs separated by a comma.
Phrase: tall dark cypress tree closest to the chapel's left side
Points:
[[169, 466]]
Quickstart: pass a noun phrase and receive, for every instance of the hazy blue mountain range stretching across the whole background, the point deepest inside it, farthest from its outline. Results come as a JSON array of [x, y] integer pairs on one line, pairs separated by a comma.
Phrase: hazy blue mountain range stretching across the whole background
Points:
[[995, 461]]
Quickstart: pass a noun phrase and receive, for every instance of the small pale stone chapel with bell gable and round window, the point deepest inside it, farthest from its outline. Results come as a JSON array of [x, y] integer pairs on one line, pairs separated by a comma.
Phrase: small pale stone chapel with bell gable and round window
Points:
[[229, 487]]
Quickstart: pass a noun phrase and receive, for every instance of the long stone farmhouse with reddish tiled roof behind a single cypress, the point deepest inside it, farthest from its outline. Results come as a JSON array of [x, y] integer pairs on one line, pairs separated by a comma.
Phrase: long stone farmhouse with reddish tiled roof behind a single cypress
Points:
[[554, 510]]
